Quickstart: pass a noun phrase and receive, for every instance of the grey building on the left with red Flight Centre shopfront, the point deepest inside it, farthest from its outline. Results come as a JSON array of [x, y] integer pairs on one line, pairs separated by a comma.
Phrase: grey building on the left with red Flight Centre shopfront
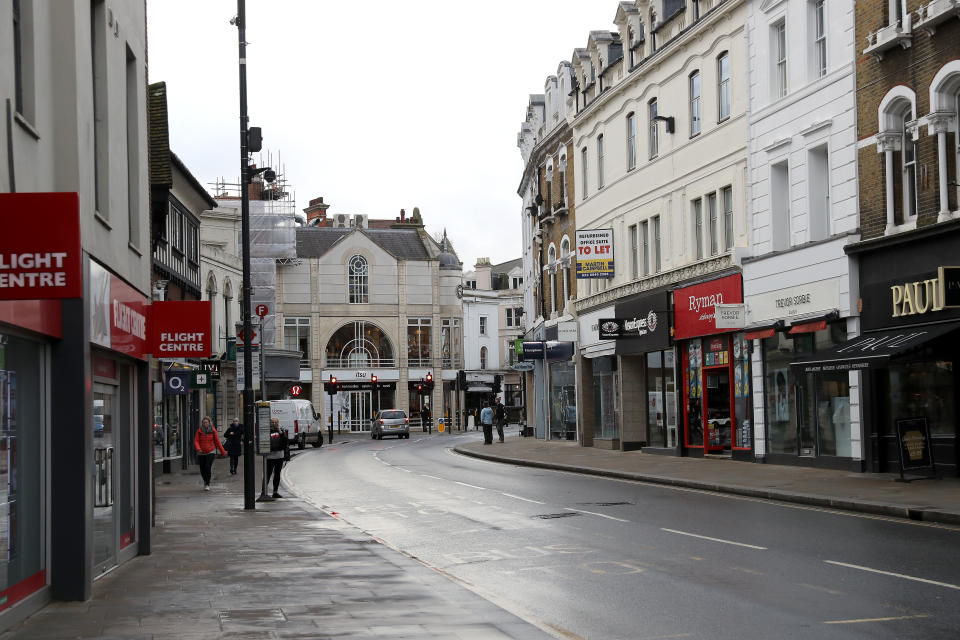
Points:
[[74, 375]]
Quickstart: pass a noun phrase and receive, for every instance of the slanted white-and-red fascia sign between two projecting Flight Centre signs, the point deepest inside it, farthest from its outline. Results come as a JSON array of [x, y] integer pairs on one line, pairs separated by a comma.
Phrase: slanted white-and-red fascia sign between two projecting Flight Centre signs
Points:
[[118, 314]]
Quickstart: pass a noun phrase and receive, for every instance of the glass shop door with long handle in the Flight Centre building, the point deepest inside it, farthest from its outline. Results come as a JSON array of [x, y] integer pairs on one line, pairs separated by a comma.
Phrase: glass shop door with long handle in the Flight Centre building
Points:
[[104, 450]]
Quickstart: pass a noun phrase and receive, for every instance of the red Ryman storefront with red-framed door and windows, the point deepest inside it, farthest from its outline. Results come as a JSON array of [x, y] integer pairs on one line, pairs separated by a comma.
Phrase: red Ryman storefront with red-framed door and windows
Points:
[[714, 364]]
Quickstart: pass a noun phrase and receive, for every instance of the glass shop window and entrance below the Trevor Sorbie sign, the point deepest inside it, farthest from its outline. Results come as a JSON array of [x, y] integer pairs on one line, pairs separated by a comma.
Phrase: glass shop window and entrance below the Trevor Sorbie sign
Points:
[[807, 414]]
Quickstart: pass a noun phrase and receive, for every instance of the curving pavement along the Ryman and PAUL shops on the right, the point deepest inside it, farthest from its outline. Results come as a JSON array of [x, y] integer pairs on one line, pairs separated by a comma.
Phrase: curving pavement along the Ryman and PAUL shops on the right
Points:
[[929, 500]]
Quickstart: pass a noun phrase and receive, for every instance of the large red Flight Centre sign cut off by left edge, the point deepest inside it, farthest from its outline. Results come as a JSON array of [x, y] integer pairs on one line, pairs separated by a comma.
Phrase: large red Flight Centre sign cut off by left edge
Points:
[[40, 255]]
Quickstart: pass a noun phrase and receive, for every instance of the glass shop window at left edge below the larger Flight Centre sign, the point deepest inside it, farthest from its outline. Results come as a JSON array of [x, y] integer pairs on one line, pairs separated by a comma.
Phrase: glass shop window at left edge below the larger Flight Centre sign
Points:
[[22, 472]]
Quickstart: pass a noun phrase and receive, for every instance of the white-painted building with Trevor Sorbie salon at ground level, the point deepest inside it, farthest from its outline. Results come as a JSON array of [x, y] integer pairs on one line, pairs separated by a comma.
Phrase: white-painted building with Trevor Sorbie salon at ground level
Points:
[[800, 288]]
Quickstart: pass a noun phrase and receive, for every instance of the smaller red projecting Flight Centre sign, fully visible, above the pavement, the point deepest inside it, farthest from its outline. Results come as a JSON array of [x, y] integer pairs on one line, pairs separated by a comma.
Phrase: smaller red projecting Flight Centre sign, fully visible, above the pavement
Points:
[[181, 329]]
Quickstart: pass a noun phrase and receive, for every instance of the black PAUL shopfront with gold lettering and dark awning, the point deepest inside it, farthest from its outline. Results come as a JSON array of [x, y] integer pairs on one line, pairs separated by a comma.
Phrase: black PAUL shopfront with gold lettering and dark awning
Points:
[[909, 345]]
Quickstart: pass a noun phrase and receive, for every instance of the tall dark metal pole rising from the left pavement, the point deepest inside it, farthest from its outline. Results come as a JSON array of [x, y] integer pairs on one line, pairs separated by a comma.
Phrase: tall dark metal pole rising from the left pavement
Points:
[[249, 463]]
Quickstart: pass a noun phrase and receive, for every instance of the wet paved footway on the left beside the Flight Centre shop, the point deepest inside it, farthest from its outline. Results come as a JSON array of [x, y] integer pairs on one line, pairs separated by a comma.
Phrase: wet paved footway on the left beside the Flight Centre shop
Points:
[[284, 570]]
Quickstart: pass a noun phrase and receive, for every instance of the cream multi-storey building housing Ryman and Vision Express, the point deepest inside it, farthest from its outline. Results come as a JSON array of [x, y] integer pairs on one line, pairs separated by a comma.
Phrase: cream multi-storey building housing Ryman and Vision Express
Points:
[[659, 132]]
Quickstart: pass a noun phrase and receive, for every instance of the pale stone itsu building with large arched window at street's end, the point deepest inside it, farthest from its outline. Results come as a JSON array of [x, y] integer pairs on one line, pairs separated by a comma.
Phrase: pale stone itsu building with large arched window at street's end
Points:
[[365, 297]]
